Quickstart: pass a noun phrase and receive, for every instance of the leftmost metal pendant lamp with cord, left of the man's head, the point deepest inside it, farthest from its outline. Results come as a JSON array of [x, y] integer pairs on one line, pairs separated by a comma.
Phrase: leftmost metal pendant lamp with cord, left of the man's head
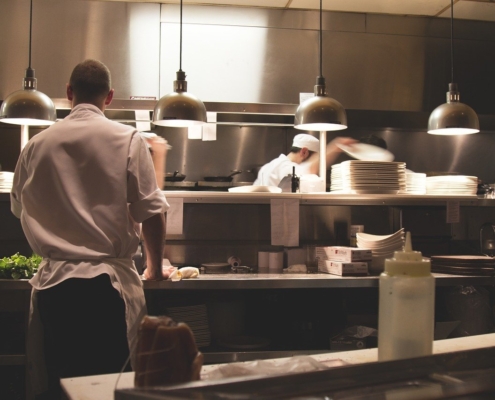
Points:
[[28, 106]]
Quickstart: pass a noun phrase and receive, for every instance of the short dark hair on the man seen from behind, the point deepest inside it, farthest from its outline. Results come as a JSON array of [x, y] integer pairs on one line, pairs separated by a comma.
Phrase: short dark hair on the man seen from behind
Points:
[[90, 81]]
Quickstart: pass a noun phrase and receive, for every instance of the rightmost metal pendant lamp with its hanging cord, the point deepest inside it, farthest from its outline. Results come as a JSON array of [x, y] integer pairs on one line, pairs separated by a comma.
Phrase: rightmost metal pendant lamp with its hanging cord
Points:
[[453, 117]]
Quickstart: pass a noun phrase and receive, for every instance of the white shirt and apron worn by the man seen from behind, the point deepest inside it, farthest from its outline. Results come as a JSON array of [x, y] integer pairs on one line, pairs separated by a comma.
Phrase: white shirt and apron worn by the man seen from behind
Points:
[[81, 189]]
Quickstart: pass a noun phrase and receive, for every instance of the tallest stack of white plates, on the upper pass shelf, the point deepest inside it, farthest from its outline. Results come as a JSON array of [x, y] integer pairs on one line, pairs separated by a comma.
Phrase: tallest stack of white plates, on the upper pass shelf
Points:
[[368, 177]]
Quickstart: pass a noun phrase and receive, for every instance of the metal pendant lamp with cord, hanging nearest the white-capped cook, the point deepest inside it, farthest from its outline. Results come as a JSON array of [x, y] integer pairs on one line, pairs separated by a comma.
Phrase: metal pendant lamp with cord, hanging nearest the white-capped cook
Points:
[[320, 113]]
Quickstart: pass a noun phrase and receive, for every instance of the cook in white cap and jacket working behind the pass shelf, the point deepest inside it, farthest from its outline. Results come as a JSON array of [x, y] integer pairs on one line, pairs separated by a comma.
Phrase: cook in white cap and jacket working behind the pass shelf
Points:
[[303, 155]]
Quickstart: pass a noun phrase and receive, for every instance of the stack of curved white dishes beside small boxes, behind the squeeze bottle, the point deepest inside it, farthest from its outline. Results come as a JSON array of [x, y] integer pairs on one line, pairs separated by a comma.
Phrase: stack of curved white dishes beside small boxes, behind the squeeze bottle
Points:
[[381, 246]]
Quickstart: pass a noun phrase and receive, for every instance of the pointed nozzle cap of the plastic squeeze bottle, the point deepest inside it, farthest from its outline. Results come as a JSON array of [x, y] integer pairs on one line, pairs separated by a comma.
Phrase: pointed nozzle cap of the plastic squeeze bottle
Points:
[[407, 262]]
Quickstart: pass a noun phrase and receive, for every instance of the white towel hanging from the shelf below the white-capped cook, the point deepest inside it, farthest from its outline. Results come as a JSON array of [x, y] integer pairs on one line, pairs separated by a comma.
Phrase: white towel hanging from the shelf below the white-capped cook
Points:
[[285, 222]]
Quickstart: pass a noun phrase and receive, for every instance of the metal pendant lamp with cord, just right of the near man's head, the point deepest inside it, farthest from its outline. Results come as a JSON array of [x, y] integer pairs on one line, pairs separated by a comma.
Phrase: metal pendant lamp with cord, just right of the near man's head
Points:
[[179, 108]]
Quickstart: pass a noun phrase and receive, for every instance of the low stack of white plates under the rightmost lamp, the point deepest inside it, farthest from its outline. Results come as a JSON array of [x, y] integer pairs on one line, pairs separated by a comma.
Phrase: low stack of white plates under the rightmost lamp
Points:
[[453, 185]]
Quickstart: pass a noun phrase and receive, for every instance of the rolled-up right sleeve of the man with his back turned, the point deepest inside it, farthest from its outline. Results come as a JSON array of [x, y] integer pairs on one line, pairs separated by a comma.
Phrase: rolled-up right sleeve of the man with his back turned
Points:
[[143, 195]]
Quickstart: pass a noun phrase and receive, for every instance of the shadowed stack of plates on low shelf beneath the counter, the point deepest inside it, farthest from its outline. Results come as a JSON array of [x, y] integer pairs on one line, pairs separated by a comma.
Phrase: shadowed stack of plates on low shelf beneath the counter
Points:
[[196, 318]]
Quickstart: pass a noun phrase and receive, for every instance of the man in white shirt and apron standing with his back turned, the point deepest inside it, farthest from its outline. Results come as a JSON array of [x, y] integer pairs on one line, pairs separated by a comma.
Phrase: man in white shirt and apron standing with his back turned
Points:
[[83, 189]]
